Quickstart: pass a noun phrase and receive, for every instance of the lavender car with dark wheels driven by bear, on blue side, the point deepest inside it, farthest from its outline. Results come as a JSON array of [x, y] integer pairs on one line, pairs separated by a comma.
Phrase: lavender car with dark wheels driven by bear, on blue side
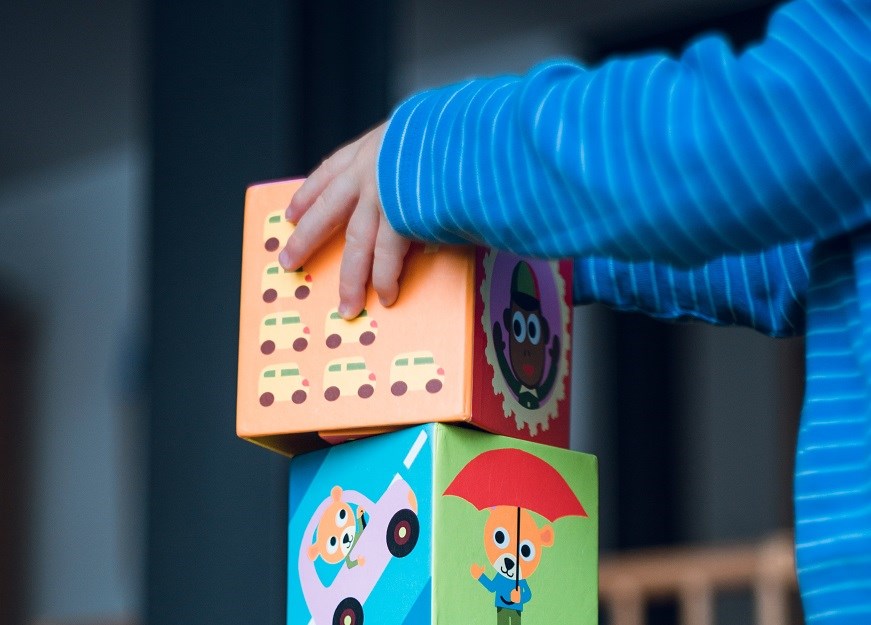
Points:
[[391, 532]]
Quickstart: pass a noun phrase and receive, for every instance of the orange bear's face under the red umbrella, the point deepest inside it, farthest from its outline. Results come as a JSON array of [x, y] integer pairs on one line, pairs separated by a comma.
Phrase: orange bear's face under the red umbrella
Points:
[[500, 542]]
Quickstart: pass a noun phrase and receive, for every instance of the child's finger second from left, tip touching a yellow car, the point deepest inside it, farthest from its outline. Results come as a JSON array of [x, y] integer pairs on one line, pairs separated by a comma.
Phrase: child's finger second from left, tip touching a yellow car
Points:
[[329, 211]]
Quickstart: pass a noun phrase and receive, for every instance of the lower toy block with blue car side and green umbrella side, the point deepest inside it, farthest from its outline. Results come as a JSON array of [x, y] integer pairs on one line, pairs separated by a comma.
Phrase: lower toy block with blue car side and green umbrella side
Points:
[[421, 526]]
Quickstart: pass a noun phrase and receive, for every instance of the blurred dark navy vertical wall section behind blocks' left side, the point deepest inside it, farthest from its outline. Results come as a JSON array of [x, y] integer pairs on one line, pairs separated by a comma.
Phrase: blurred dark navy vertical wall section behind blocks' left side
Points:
[[240, 92]]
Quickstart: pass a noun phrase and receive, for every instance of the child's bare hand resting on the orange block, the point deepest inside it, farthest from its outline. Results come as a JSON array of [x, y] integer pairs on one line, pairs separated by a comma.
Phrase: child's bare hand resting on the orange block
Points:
[[343, 193]]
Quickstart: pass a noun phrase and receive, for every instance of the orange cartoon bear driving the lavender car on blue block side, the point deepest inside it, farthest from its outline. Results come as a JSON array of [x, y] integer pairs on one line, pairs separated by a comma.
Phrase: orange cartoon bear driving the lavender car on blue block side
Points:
[[338, 531]]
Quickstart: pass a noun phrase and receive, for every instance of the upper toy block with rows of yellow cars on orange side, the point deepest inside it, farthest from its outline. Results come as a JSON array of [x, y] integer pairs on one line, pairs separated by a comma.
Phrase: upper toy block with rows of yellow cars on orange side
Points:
[[476, 336]]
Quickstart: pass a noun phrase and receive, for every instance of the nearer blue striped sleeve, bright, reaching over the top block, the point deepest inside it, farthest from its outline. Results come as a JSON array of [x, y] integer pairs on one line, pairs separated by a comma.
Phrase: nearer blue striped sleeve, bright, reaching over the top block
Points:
[[675, 160]]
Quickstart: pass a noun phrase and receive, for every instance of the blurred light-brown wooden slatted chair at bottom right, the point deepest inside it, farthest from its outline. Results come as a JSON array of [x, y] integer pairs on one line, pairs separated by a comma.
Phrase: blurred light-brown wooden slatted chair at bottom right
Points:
[[694, 575]]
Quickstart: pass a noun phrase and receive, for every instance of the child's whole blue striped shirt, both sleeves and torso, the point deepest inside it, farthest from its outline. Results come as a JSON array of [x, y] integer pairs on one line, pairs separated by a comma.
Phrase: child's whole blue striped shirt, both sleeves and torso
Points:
[[731, 188]]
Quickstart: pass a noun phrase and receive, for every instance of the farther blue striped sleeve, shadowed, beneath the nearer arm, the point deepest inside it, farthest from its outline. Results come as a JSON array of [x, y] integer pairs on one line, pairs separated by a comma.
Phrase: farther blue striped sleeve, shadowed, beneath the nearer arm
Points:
[[765, 291]]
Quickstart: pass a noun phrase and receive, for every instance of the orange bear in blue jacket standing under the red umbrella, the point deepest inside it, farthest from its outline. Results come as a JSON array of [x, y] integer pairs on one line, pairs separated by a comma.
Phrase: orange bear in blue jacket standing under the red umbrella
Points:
[[500, 543]]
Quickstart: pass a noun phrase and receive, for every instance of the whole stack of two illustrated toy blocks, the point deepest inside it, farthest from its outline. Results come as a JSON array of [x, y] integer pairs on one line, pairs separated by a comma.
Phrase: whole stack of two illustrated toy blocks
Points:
[[414, 519]]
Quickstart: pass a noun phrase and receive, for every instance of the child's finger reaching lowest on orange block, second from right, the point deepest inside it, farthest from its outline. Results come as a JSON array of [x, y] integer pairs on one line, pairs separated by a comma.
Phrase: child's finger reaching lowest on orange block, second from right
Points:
[[357, 260]]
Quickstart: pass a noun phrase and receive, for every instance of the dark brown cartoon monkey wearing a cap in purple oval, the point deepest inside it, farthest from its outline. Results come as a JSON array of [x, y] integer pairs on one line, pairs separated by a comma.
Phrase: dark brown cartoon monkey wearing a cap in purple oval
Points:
[[528, 336]]
